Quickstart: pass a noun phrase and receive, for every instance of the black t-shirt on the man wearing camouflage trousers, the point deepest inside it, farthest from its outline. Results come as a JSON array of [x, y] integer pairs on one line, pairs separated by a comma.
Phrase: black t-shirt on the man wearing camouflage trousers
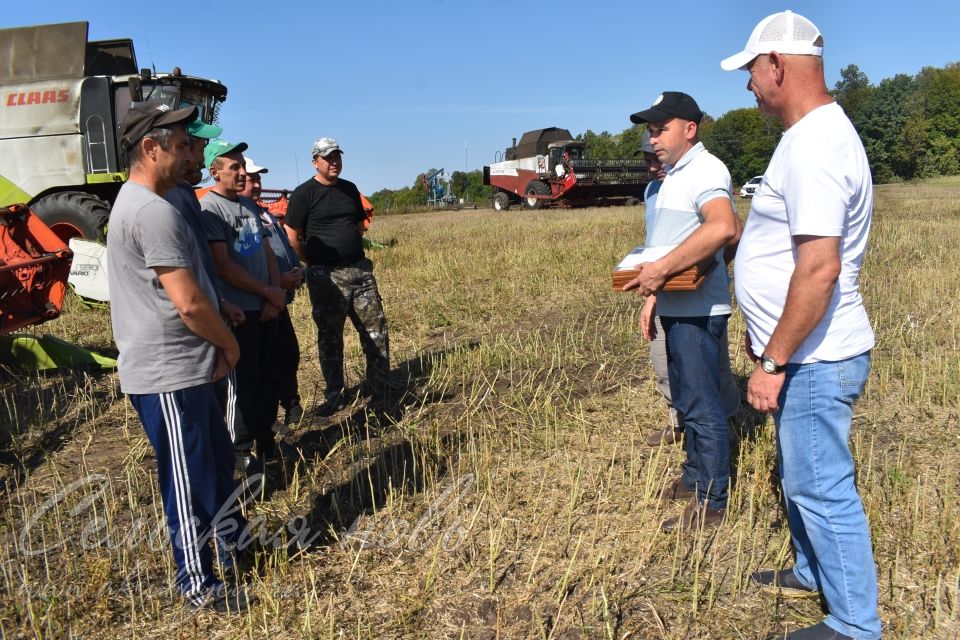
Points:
[[330, 217]]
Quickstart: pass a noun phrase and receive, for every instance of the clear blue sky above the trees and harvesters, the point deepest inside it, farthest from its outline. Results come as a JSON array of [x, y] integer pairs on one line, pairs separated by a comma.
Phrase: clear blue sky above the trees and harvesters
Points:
[[406, 86]]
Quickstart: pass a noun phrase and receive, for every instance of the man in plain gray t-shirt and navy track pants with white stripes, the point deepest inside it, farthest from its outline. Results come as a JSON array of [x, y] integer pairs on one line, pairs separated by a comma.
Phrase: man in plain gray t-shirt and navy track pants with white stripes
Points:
[[173, 346]]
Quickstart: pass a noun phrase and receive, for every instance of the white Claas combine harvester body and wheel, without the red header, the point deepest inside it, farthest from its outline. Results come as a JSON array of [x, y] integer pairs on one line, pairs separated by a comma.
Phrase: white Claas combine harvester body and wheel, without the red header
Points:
[[62, 98]]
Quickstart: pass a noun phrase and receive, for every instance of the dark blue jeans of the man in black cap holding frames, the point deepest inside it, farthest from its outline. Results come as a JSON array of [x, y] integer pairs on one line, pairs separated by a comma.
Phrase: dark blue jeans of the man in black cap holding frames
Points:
[[695, 347]]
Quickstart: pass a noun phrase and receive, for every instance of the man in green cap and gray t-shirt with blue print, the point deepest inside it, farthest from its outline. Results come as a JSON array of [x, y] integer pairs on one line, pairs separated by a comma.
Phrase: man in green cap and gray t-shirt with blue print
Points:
[[248, 270]]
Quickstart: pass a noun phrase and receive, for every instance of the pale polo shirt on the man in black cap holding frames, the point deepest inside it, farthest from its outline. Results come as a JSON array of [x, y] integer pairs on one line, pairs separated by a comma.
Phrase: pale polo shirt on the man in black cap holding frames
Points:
[[697, 178]]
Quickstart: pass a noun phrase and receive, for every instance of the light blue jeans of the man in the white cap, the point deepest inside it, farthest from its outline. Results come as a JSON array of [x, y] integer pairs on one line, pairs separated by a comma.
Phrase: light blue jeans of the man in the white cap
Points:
[[827, 521]]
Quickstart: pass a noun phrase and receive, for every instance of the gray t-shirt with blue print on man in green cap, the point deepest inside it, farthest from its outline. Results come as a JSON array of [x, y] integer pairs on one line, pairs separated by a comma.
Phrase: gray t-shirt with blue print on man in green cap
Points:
[[237, 222]]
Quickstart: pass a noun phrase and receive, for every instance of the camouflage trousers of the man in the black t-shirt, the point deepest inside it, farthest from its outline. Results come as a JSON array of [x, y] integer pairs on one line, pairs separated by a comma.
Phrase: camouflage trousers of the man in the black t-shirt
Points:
[[338, 293]]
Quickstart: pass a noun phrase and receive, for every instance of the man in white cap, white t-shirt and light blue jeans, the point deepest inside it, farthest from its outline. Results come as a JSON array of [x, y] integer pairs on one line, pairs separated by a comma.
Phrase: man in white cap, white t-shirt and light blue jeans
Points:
[[796, 280]]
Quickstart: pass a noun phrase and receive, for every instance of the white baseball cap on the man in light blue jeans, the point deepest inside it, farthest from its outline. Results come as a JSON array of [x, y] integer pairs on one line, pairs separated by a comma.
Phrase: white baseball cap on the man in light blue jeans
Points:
[[785, 32]]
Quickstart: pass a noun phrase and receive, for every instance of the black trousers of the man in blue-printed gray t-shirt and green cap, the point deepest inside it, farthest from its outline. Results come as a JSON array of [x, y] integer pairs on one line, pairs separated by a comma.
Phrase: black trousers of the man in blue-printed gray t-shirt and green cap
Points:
[[250, 392]]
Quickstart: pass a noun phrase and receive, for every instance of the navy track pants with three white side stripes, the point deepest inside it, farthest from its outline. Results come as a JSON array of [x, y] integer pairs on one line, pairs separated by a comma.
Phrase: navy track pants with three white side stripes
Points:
[[195, 471]]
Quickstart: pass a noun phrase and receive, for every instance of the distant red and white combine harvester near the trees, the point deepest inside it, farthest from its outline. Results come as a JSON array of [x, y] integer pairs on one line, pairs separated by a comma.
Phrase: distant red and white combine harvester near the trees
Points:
[[548, 167]]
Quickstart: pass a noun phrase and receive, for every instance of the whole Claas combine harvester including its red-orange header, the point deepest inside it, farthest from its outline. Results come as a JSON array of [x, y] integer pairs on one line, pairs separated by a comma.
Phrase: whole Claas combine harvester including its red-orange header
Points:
[[61, 166]]
